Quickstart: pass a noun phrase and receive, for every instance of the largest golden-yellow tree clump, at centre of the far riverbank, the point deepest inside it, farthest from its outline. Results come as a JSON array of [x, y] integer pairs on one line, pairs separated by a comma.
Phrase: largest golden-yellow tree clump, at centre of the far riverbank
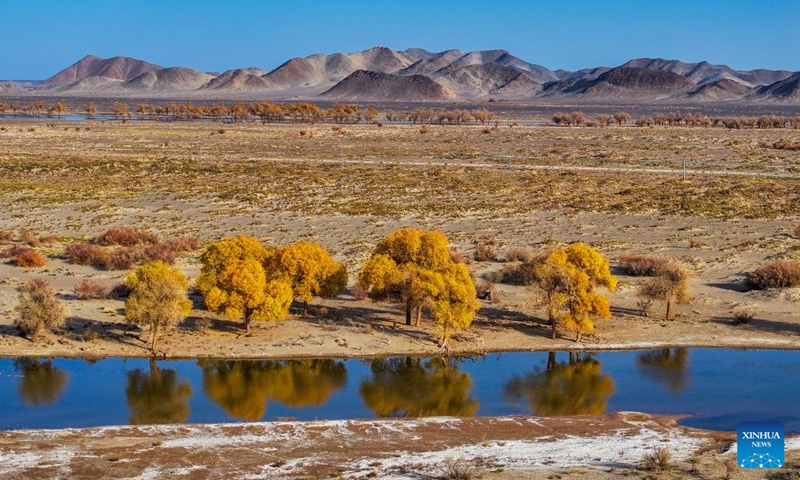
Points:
[[413, 267]]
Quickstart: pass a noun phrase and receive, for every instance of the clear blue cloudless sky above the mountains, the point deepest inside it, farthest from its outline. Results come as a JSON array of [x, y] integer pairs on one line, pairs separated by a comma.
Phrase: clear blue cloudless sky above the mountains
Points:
[[41, 37]]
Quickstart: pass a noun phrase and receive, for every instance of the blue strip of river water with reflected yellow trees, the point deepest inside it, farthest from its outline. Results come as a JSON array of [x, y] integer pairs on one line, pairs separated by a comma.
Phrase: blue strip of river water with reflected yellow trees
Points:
[[718, 387]]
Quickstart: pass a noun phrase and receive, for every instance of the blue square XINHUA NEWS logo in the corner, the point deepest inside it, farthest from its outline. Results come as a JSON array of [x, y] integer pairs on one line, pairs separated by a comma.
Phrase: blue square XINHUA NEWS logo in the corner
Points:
[[760, 445]]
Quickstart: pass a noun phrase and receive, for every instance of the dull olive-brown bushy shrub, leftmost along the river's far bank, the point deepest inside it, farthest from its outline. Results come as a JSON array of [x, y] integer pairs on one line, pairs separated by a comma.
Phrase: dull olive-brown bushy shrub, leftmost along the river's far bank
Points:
[[38, 308]]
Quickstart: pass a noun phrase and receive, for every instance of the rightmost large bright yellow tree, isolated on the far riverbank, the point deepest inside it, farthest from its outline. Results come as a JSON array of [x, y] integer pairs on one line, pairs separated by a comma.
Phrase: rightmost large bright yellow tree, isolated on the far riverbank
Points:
[[569, 277]]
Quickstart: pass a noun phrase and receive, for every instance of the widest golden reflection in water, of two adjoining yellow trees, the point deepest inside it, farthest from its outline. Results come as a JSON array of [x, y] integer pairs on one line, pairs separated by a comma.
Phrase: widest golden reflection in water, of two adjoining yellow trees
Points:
[[242, 388]]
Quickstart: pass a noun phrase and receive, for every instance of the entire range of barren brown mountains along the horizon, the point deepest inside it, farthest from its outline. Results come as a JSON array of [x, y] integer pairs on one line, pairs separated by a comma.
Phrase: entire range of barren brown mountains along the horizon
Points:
[[417, 75]]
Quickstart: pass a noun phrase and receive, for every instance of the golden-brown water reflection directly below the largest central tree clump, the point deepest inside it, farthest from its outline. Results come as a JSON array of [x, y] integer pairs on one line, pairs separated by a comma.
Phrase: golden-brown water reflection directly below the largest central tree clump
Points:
[[416, 387]]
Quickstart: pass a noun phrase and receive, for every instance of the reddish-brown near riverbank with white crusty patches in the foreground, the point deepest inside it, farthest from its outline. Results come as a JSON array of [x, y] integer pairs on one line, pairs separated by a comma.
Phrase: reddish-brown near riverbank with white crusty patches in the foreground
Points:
[[505, 448]]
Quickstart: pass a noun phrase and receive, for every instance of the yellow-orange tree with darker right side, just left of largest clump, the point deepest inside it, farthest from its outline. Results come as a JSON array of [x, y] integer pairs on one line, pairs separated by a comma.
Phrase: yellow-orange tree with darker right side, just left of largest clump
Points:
[[310, 270]]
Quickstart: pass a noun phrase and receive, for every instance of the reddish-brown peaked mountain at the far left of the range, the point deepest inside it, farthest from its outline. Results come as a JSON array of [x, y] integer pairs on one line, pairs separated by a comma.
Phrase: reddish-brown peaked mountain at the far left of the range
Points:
[[119, 68]]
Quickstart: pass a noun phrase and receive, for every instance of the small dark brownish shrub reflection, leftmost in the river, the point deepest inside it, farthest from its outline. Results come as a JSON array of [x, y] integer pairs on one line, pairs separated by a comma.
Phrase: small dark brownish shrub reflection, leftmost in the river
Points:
[[41, 383]]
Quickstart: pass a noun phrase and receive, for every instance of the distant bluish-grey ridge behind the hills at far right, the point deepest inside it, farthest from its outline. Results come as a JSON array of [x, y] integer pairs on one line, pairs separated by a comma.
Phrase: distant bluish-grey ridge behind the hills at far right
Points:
[[704, 72]]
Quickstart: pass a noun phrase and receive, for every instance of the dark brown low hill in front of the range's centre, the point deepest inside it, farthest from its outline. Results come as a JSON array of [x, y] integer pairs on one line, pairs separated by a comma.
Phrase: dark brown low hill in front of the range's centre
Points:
[[364, 85]]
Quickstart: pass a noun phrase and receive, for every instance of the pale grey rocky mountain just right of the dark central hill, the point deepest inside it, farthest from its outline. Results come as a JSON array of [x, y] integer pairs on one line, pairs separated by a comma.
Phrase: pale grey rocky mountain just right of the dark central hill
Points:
[[479, 80]]
